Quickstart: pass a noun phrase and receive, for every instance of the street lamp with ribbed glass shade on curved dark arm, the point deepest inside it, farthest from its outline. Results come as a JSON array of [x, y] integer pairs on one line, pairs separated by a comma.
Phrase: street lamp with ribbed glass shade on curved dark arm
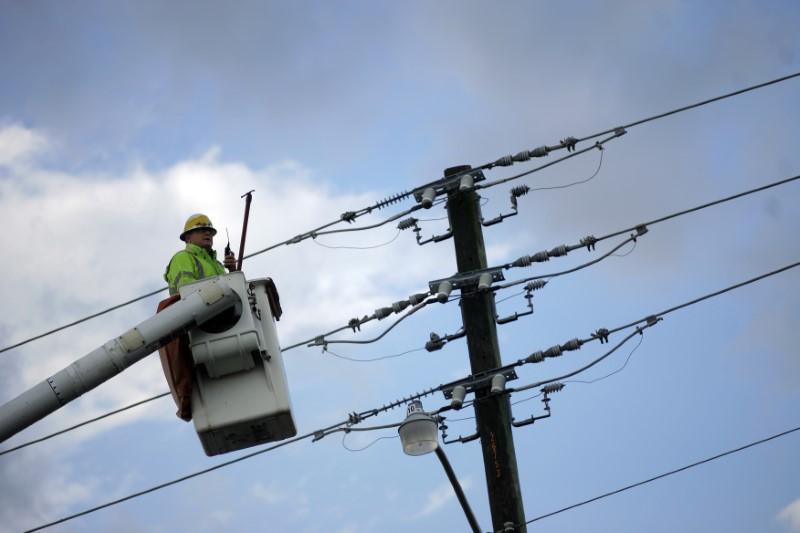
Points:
[[419, 436]]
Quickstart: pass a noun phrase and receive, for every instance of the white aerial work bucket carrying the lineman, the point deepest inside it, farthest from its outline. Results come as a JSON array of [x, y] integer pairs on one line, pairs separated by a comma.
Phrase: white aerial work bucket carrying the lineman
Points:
[[240, 396]]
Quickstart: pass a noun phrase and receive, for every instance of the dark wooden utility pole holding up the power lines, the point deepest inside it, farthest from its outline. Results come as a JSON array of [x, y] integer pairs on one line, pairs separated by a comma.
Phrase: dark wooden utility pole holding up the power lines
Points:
[[493, 414]]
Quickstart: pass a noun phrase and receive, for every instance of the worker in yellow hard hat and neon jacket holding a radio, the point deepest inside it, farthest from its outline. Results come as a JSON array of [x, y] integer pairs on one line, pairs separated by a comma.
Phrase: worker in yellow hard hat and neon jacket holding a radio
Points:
[[198, 260]]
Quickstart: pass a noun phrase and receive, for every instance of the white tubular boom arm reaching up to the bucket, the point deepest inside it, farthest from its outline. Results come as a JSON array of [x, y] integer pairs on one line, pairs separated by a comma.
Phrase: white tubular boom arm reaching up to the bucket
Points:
[[114, 356]]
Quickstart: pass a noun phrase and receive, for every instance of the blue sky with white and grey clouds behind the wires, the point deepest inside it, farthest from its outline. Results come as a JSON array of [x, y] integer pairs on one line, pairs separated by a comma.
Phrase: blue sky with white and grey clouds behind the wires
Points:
[[119, 119]]
